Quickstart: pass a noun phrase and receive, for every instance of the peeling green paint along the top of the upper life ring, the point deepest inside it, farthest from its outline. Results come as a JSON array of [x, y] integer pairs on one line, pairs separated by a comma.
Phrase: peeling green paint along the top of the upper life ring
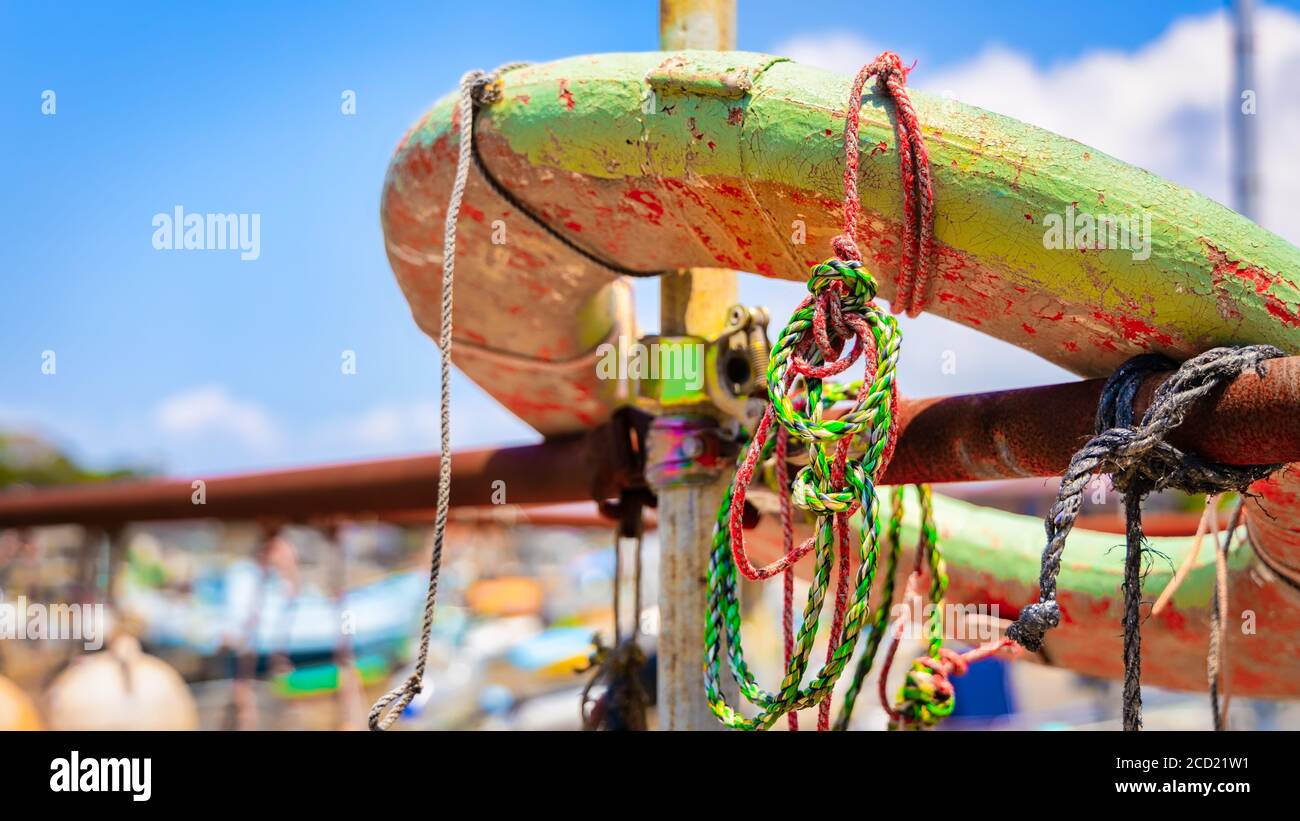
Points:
[[1214, 277]]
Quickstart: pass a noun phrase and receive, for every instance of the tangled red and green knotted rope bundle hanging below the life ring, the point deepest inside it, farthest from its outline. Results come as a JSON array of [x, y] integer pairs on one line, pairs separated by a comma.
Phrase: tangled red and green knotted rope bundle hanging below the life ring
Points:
[[834, 486]]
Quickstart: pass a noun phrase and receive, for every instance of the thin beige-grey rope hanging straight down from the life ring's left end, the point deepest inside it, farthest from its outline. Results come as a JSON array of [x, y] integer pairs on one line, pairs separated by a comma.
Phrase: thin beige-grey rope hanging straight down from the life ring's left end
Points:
[[476, 89]]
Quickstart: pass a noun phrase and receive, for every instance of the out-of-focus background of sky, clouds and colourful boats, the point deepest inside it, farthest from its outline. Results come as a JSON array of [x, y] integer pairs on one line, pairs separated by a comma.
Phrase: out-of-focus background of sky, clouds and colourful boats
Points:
[[201, 364]]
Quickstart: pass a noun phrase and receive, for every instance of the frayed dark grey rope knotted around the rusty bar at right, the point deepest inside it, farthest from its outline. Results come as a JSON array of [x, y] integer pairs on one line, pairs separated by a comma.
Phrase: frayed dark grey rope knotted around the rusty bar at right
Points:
[[1139, 462]]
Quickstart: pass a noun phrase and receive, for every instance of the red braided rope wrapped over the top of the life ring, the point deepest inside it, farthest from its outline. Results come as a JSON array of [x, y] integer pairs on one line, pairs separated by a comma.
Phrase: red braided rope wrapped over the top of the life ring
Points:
[[915, 173]]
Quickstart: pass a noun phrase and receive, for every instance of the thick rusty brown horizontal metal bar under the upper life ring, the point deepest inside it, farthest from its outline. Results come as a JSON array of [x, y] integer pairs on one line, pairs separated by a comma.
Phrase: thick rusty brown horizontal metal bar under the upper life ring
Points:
[[998, 436]]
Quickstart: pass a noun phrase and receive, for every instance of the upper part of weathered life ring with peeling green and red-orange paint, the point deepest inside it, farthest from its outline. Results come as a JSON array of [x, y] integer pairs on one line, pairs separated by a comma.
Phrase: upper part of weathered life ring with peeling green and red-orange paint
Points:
[[657, 162]]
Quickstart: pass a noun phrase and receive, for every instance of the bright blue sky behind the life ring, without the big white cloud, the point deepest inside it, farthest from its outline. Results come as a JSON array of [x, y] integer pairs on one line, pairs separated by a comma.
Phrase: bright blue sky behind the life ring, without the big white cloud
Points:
[[201, 362]]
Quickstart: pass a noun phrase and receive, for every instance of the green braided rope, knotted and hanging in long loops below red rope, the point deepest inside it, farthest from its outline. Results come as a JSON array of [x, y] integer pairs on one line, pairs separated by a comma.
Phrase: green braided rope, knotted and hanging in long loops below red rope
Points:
[[872, 418]]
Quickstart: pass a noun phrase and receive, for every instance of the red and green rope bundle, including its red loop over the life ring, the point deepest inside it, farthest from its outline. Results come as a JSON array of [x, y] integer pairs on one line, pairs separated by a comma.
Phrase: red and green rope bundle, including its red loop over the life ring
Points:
[[839, 311]]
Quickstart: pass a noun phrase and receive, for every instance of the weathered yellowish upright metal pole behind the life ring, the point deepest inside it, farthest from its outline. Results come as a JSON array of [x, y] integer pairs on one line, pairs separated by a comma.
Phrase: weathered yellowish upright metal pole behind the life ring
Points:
[[692, 303]]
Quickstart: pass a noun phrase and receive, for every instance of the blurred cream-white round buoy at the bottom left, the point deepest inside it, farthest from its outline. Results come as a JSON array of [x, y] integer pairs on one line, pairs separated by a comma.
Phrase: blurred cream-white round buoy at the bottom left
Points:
[[120, 689]]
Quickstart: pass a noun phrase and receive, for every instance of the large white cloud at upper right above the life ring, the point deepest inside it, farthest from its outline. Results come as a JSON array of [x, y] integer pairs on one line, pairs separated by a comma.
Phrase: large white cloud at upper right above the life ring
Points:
[[1163, 107]]
